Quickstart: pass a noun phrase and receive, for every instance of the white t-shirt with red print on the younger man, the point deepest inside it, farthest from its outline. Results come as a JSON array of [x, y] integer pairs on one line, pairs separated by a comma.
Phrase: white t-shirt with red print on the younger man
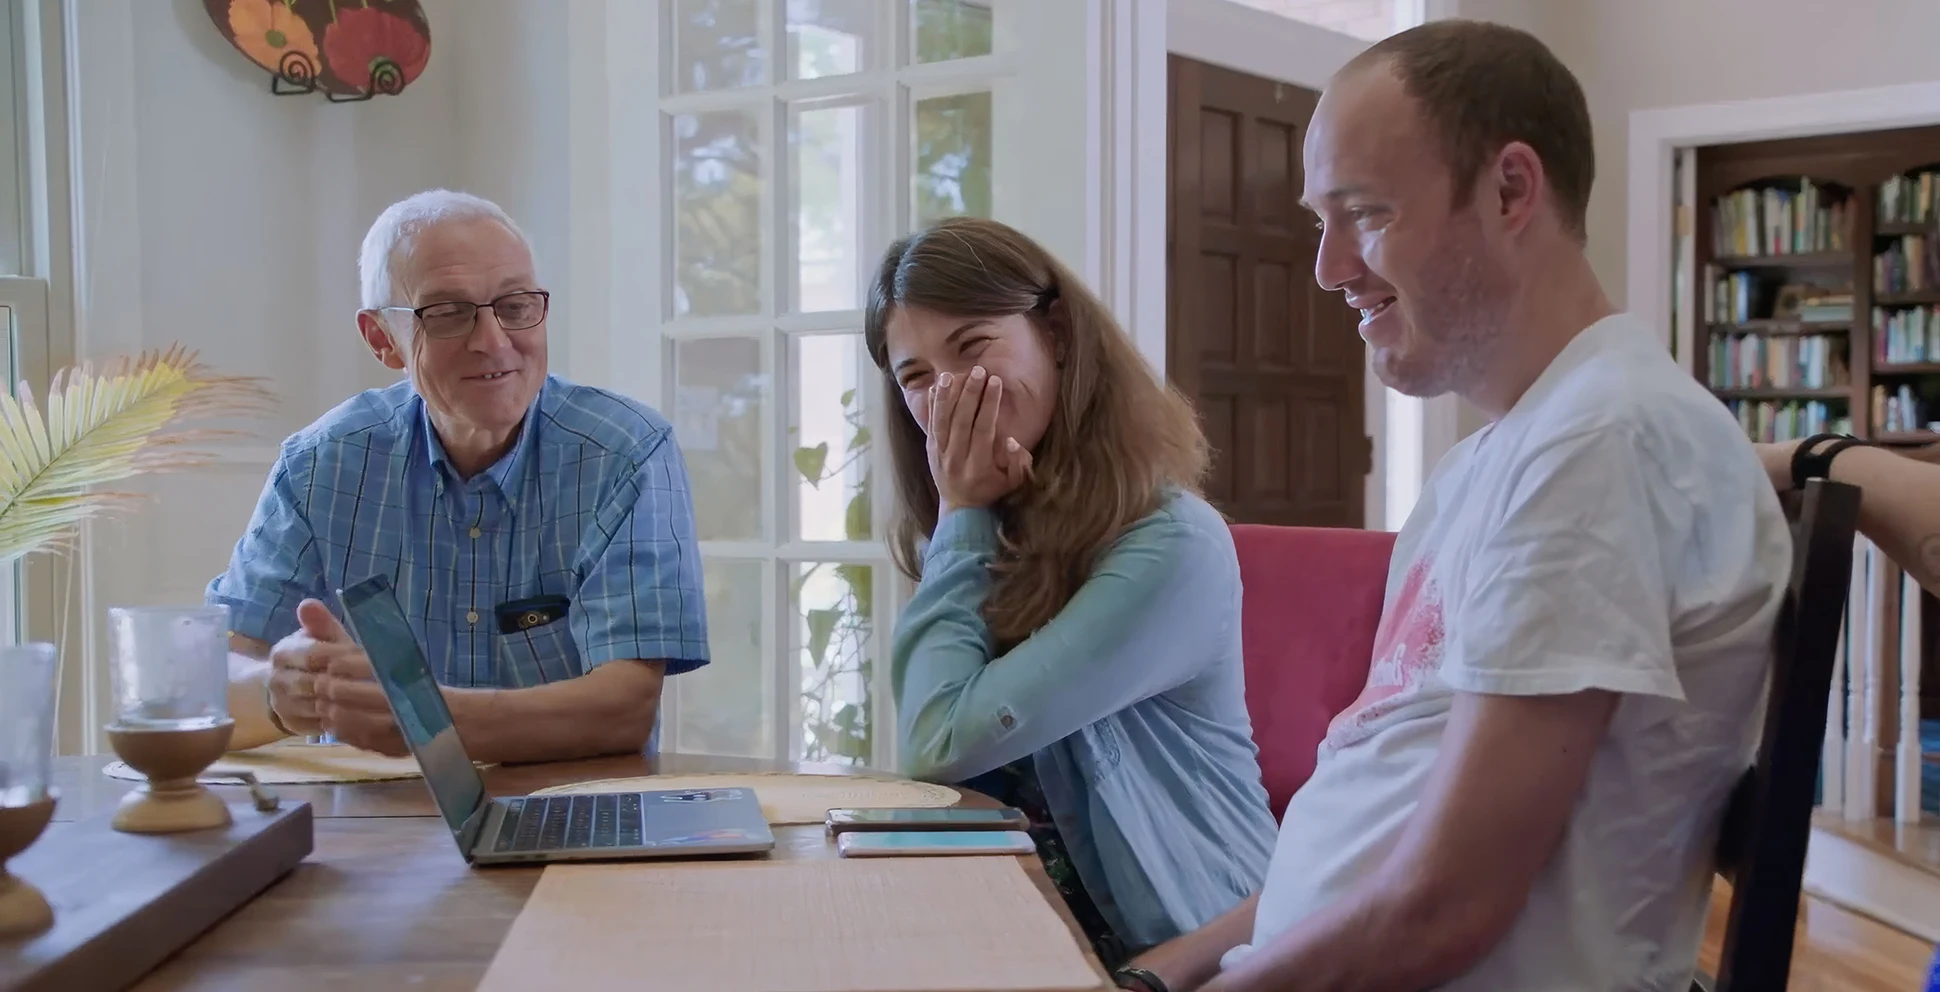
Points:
[[1615, 531]]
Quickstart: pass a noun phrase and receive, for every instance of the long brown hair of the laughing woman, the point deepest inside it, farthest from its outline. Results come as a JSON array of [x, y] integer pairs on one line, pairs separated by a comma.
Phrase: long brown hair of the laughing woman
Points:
[[1118, 436]]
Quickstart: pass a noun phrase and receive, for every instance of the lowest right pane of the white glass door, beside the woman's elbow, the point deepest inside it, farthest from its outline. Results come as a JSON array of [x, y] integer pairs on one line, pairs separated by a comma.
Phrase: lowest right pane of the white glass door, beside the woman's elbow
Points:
[[833, 626]]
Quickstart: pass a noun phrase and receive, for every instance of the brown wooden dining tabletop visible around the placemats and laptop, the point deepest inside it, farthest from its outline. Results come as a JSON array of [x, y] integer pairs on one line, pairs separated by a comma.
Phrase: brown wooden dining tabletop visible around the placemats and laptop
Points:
[[385, 902]]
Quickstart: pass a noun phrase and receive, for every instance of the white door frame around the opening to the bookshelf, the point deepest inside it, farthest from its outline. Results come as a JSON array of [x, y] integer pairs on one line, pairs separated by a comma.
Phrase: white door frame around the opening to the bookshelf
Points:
[[1658, 135]]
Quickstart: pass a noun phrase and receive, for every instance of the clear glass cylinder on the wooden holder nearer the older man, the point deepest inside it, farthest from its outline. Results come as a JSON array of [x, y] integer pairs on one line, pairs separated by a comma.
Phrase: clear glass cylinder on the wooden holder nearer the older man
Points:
[[170, 667]]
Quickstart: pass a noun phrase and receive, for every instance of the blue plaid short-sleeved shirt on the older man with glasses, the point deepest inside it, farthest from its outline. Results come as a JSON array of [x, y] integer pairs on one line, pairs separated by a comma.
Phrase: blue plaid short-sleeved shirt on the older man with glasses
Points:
[[591, 504]]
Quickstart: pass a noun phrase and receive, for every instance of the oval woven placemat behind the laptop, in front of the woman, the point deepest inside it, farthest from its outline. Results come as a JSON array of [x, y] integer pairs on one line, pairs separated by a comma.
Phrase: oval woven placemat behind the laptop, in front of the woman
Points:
[[787, 799]]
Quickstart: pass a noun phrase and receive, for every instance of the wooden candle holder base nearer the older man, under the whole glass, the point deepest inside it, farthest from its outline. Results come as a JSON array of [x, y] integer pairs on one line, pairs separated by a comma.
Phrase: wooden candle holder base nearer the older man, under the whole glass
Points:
[[172, 801]]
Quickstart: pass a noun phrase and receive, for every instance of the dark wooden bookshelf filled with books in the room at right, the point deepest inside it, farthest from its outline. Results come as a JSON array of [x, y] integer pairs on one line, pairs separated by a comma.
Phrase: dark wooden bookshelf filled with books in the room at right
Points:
[[1819, 284]]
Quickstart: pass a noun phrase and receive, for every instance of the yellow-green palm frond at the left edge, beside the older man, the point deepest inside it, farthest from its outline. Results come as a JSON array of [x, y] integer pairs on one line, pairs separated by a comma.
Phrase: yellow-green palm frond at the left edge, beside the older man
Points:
[[106, 428]]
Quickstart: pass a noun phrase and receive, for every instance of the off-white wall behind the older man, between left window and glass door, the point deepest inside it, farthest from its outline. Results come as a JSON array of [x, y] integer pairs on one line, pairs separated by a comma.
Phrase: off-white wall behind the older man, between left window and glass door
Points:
[[228, 218]]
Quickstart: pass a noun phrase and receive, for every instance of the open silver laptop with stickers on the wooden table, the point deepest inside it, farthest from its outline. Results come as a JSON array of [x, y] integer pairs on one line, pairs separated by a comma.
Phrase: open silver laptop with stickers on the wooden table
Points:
[[521, 830]]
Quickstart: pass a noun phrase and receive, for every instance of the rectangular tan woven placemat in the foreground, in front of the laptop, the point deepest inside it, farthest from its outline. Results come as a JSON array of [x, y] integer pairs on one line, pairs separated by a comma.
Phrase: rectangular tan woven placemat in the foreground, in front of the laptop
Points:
[[827, 925]]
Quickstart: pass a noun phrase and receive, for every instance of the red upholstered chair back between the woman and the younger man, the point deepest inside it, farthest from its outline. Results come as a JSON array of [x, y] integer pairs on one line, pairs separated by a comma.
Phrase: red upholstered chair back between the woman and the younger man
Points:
[[1312, 607]]
